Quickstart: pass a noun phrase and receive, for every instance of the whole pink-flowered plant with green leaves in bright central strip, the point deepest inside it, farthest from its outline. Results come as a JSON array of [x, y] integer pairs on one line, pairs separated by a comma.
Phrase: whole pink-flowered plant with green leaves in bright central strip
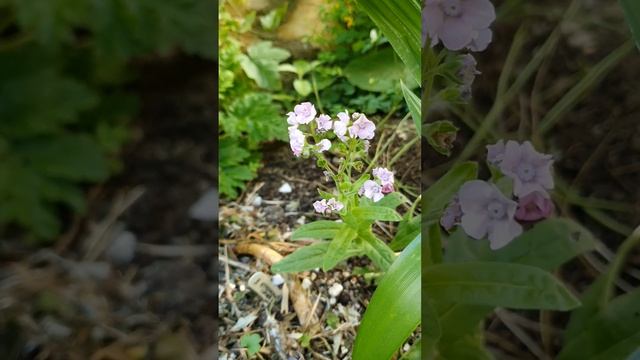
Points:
[[363, 192]]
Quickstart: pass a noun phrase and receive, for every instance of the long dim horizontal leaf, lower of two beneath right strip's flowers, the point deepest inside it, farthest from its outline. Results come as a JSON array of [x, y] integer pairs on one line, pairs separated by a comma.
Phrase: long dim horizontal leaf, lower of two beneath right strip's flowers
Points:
[[505, 285]]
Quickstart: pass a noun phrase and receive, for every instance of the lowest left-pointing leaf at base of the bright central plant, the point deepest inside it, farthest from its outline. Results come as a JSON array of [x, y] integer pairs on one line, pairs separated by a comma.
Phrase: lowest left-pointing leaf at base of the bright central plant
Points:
[[308, 258]]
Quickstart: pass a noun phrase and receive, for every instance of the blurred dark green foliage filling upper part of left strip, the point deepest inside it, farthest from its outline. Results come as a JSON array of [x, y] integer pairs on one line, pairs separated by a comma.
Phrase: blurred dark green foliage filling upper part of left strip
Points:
[[64, 104]]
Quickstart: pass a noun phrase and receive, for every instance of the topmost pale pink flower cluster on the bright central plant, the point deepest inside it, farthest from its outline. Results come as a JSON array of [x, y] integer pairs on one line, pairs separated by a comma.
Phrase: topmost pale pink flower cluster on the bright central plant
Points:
[[356, 126]]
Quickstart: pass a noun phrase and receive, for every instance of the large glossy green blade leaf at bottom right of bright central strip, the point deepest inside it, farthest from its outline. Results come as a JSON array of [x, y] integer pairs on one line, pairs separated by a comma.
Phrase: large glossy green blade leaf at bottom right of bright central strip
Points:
[[394, 310]]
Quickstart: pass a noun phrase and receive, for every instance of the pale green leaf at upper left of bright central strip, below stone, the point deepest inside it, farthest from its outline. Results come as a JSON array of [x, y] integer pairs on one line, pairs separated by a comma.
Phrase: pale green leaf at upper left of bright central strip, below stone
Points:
[[261, 64]]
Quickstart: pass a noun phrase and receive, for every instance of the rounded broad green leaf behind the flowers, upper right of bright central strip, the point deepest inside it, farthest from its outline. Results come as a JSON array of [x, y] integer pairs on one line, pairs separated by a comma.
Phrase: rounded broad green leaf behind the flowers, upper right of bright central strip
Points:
[[378, 71]]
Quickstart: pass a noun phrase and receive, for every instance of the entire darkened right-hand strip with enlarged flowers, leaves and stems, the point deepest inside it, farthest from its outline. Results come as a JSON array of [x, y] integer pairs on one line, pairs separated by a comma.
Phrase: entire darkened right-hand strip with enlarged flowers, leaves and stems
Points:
[[520, 261]]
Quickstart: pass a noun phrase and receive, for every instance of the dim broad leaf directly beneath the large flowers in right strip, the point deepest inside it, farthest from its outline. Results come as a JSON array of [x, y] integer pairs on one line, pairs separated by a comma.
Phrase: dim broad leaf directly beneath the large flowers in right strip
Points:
[[547, 245]]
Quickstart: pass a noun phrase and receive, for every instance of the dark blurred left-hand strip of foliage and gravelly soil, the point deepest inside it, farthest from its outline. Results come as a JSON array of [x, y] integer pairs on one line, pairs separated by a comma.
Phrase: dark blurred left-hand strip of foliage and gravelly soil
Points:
[[108, 201]]
